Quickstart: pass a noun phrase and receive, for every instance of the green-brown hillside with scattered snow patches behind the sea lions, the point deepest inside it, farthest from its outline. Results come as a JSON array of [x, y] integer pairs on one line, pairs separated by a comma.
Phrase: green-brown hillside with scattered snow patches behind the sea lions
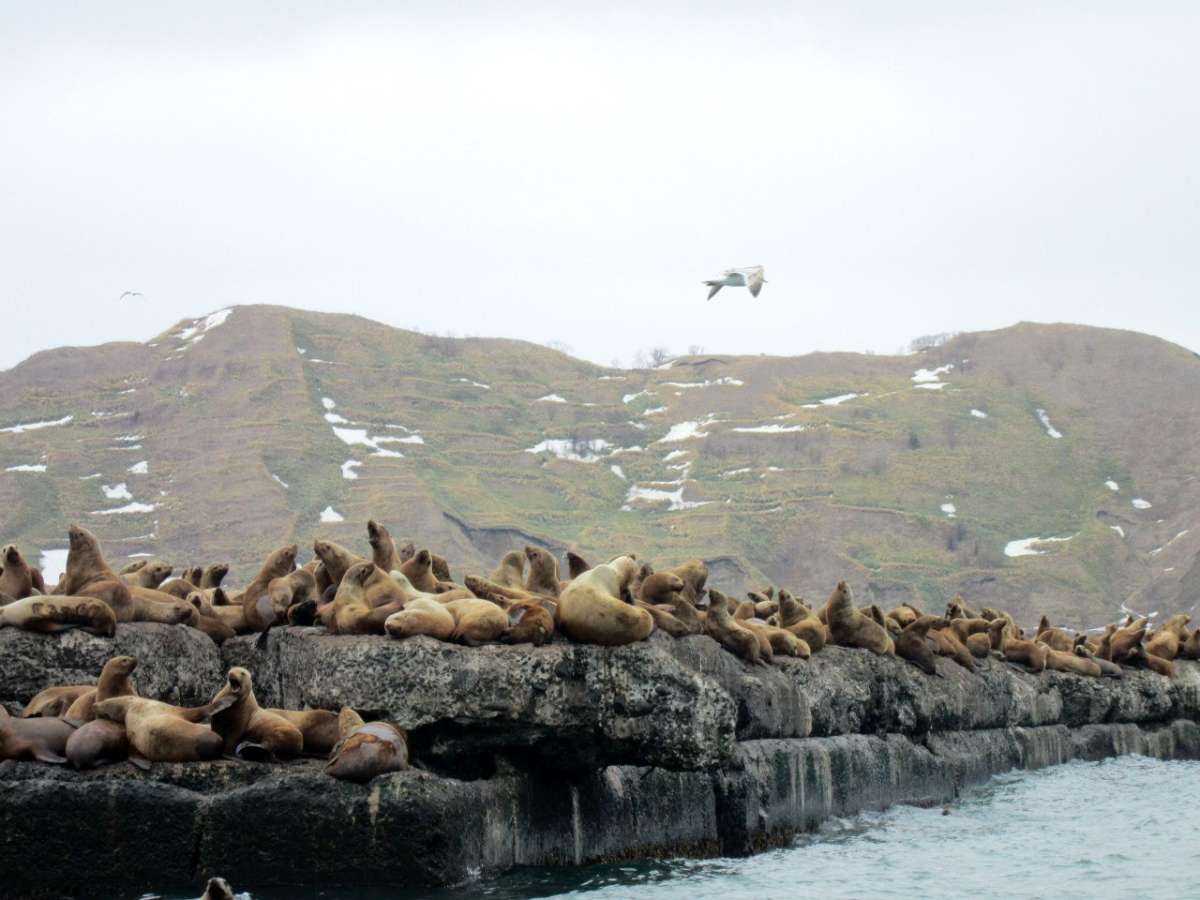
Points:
[[913, 477]]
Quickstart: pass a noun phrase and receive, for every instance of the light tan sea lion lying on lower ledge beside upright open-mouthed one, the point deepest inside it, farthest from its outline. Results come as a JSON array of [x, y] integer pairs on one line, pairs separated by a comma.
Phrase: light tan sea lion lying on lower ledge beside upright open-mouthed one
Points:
[[160, 733]]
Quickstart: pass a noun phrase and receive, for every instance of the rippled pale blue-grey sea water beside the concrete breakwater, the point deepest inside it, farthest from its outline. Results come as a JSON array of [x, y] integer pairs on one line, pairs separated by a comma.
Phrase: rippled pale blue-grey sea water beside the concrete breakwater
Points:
[[1119, 829]]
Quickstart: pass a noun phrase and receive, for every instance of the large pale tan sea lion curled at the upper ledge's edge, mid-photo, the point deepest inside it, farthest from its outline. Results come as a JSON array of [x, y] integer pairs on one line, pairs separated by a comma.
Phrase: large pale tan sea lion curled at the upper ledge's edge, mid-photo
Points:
[[592, 608]]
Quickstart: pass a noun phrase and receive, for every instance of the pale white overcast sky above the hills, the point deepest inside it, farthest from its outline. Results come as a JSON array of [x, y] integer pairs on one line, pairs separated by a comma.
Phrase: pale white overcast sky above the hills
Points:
[[573, 172]]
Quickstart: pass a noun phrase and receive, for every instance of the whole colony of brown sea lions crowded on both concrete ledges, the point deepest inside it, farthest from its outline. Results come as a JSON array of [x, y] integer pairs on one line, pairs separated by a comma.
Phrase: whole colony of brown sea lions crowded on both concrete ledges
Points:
[[404, 592]]
